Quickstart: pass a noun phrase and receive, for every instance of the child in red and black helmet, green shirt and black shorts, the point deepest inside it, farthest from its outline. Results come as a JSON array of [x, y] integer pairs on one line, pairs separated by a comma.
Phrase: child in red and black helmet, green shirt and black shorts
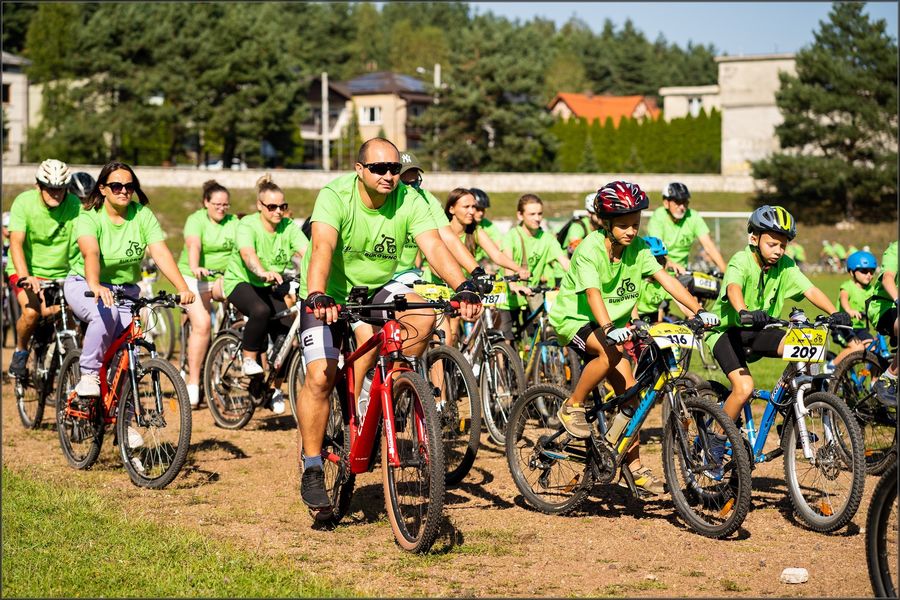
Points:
[[595, 302]]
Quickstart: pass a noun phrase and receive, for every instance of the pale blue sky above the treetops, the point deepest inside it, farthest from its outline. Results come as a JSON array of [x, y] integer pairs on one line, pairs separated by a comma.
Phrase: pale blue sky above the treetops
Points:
[[734, 28]]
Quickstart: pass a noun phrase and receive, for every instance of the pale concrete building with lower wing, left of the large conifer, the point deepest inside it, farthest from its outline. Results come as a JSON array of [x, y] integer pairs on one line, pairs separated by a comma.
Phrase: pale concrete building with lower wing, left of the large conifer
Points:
[[745, 94]]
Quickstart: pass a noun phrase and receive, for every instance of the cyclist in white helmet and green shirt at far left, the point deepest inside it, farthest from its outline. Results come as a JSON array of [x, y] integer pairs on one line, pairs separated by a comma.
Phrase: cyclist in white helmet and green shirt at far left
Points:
[[40, 223]]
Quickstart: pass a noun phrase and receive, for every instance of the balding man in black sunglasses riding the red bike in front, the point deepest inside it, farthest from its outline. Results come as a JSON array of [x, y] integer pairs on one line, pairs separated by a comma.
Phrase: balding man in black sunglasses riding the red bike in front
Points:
[[359, 223]]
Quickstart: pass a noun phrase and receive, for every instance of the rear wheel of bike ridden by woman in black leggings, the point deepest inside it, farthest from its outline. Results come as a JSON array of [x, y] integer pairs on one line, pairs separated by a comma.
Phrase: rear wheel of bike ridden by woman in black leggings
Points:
[[227, 397]]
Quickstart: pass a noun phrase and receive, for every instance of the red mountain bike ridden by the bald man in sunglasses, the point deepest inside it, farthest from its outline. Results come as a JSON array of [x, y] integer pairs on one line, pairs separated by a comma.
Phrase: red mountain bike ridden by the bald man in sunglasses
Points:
[[402, 410]]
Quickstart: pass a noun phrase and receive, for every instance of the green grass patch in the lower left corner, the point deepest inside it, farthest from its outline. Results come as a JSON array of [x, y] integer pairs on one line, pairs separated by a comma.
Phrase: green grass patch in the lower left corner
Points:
[[67, 542]]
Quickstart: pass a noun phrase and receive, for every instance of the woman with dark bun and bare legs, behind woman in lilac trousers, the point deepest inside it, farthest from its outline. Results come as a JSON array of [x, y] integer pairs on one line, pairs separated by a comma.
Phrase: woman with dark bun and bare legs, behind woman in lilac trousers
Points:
[[208, 242]]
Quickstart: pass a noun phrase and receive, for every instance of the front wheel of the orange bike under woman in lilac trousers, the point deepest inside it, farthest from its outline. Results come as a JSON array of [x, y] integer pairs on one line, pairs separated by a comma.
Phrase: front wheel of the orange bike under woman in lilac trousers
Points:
[[154, 427]]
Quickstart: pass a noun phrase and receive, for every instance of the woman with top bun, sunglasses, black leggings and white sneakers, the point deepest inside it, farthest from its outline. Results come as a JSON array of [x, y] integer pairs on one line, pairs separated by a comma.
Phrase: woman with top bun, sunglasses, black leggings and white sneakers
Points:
[[266, 241]]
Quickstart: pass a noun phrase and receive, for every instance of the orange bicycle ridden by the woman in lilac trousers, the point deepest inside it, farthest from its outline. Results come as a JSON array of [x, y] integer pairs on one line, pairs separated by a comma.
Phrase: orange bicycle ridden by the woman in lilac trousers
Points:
[[145, 398]]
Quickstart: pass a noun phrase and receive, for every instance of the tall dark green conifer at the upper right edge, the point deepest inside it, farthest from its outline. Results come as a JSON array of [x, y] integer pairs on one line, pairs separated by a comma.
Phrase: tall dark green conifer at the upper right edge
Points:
[[839, 135]]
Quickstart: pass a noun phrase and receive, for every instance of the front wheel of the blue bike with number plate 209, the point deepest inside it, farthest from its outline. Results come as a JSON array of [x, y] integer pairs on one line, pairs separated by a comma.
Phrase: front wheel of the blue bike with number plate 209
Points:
[[831, 458]]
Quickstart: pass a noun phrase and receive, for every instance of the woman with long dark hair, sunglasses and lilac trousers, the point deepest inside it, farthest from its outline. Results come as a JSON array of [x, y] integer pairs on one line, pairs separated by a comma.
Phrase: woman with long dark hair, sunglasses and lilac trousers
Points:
[[113, 233]]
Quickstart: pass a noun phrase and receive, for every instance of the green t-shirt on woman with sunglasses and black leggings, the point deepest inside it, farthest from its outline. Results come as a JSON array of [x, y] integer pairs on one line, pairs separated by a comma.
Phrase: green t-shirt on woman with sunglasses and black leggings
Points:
[[274, 250]]
